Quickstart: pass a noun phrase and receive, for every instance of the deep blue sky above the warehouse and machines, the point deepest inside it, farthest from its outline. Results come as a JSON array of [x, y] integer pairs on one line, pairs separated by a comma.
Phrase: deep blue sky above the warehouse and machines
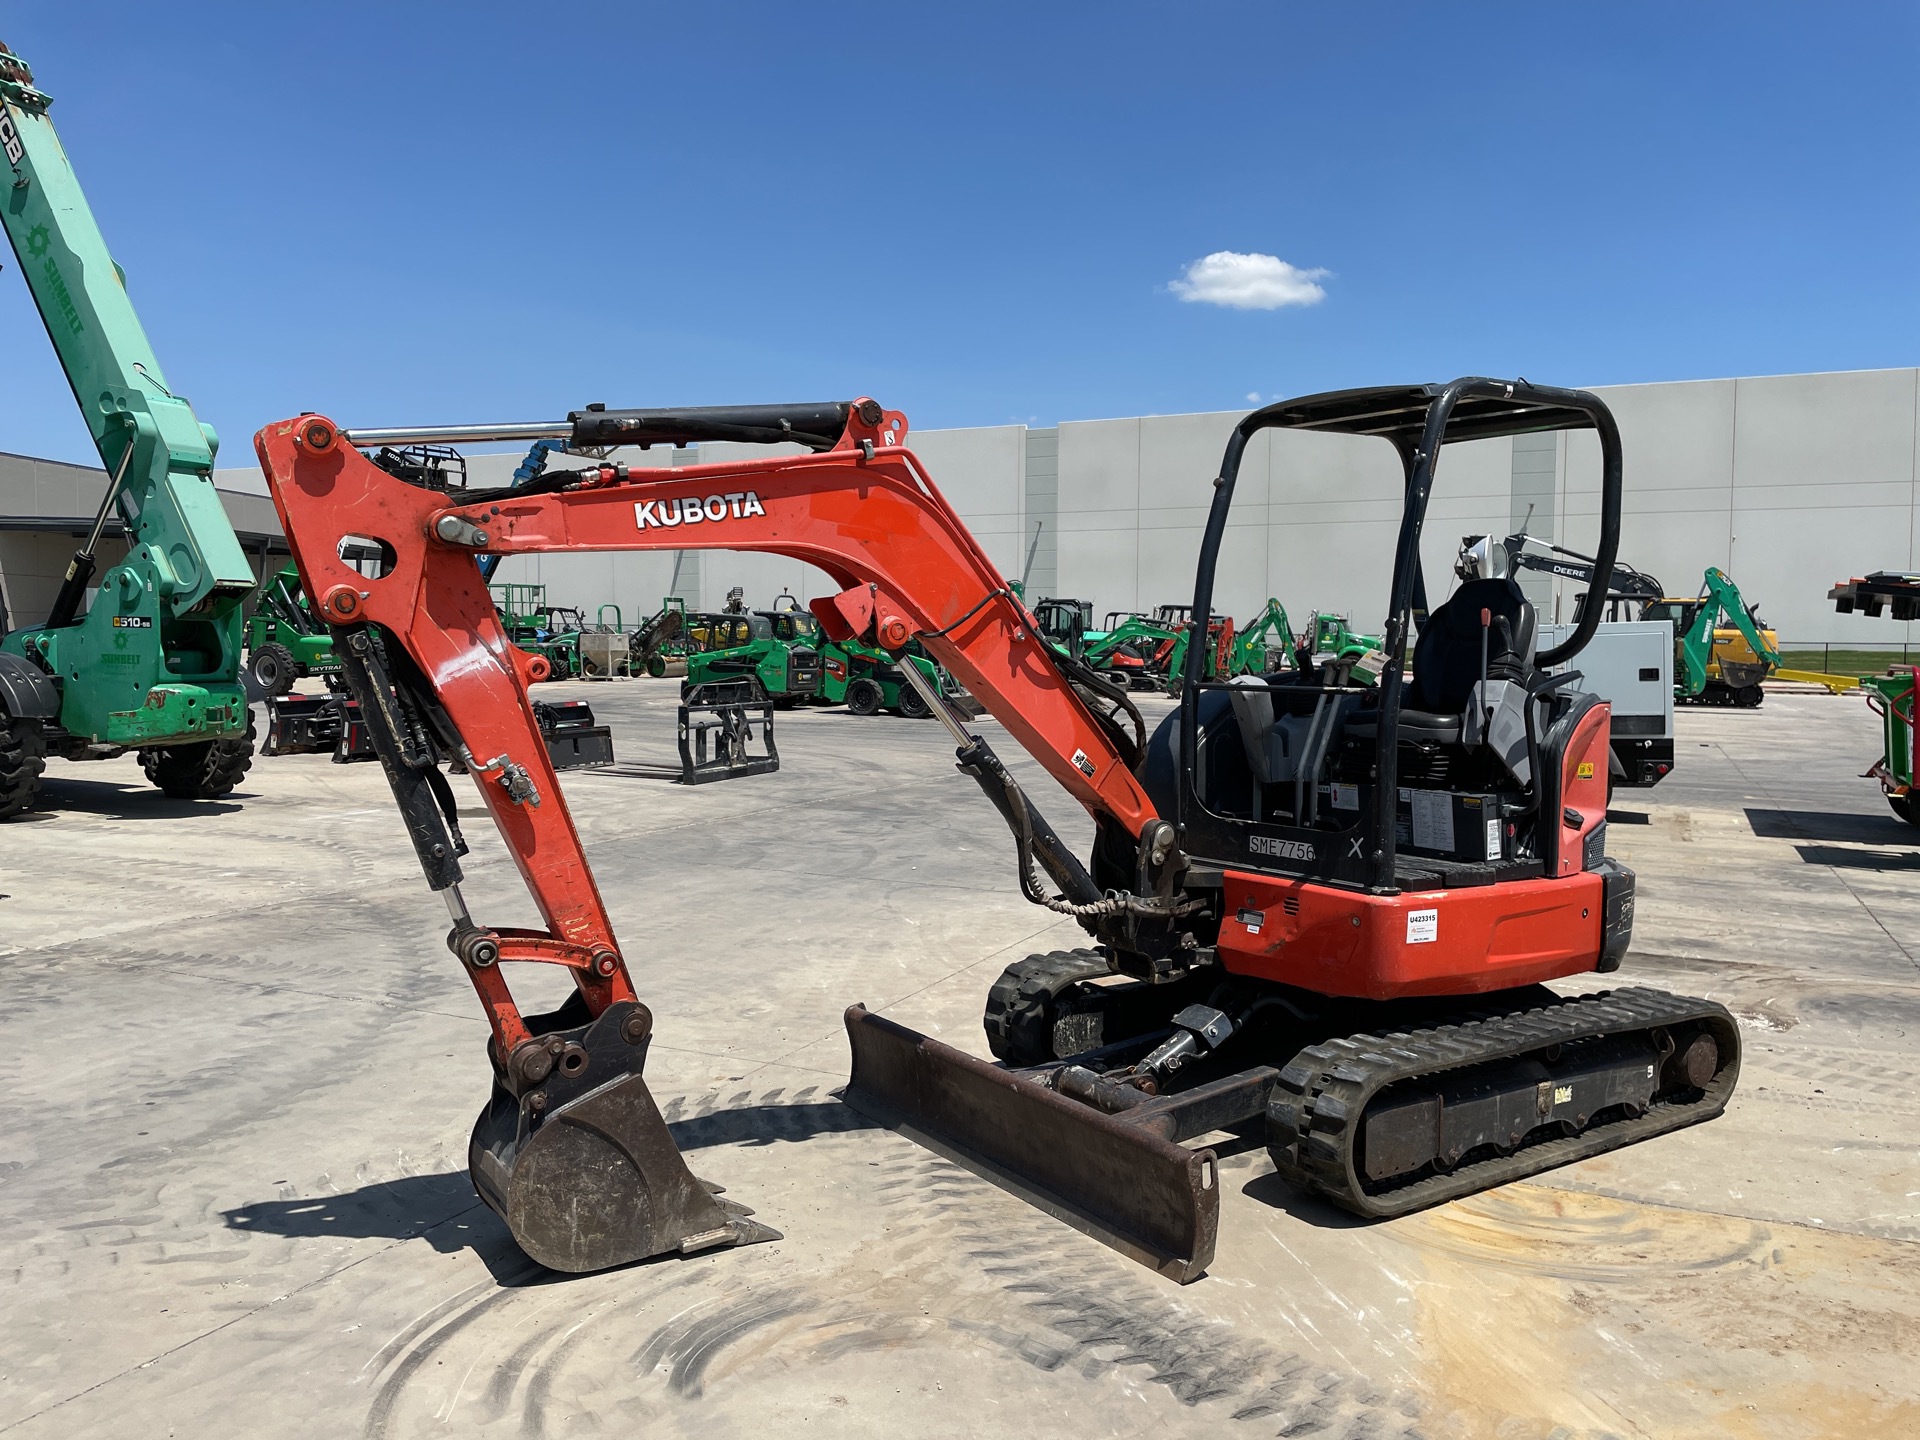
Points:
[[978, 214]]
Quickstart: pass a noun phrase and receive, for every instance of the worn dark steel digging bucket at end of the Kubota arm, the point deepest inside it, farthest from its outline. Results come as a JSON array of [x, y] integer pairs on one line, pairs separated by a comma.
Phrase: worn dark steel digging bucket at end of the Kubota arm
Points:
[[583, 1168]]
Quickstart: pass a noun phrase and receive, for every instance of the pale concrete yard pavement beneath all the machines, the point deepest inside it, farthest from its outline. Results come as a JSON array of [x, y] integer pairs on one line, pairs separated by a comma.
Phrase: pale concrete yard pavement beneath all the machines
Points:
[[239, 1074]]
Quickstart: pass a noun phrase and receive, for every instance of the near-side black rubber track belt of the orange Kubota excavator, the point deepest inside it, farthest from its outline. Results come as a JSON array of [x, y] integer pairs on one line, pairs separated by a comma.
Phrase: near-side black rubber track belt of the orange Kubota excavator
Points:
[[1324, 1092]]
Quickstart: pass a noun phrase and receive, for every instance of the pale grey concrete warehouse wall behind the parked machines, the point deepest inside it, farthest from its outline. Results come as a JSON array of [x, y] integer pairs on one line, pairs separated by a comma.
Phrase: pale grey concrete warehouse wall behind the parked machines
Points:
[[1787, 483]]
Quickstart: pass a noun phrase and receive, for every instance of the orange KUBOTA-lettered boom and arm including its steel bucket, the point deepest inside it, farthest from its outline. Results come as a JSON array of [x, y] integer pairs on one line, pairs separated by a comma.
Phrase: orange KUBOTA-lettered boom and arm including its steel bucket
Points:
[[439, 679]]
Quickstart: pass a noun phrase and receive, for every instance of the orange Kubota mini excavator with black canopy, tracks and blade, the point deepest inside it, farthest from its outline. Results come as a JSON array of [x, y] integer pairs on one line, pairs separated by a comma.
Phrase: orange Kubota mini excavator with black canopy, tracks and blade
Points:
[[1320, 905]]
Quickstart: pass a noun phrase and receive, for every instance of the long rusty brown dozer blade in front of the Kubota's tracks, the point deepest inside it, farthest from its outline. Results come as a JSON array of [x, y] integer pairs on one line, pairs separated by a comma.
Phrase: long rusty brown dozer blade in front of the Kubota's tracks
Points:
[[1147, 1197]]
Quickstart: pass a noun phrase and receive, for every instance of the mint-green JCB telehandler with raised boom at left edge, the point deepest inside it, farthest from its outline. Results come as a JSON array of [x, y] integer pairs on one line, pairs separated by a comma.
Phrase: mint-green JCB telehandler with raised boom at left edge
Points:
[[153, 663]]
